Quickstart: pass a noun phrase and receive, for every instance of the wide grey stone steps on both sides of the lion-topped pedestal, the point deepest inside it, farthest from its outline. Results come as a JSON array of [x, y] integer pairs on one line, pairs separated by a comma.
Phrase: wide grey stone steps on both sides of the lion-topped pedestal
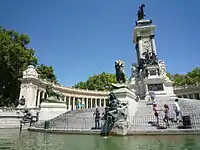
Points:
[[83, 119]]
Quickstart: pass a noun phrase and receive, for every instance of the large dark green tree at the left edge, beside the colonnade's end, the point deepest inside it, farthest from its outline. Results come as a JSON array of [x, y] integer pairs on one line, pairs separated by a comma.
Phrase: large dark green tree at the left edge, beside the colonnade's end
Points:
[[15, 56]]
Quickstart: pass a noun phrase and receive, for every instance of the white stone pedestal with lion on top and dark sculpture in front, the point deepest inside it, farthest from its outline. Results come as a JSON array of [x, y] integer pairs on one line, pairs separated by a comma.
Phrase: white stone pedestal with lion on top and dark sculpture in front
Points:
[[121, 106]]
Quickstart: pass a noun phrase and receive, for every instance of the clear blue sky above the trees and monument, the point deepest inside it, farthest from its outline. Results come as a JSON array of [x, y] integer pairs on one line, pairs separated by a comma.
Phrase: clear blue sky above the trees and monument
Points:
[[81, 38]]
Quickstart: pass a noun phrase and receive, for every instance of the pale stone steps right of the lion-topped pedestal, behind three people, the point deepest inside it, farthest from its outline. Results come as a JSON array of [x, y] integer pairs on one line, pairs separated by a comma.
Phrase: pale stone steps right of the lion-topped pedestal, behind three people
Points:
[[145, 114]]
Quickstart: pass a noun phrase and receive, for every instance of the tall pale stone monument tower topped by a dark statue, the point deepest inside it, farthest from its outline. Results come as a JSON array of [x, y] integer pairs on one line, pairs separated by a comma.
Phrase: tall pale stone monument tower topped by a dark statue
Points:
[[149, 73]]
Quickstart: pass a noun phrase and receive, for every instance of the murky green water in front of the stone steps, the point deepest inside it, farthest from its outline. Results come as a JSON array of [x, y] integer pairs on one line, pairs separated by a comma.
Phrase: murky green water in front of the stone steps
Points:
[[12, 140]]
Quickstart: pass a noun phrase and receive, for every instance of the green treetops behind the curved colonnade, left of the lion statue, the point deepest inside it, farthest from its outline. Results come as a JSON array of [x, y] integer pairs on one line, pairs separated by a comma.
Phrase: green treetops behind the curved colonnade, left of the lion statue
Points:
[[101, 82]]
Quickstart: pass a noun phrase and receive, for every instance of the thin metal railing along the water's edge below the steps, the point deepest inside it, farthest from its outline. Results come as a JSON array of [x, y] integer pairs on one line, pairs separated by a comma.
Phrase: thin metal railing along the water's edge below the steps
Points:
[[136, 123]]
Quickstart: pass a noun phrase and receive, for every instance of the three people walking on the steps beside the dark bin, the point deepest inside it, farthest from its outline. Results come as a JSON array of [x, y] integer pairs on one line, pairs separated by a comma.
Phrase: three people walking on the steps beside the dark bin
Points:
[[176, 108]]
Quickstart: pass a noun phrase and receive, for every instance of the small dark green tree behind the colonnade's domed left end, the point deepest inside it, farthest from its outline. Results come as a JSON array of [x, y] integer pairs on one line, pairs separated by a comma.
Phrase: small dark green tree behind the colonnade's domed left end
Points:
[[46, 72]]
